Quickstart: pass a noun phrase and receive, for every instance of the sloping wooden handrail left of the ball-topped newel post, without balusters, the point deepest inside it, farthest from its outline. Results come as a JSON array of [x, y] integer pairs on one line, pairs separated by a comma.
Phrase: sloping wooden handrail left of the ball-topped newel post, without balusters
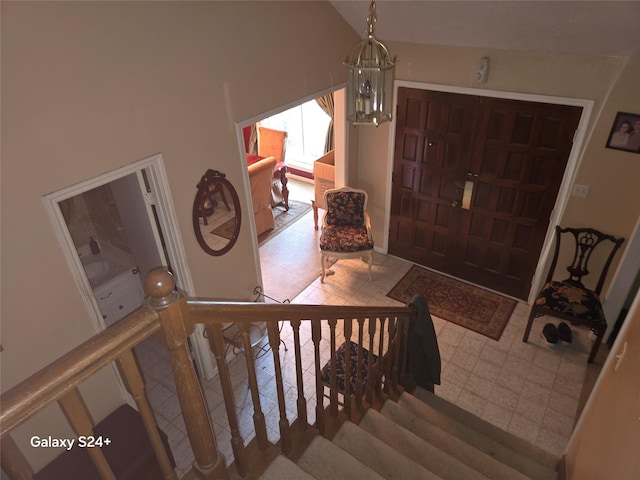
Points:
[[64, 374]]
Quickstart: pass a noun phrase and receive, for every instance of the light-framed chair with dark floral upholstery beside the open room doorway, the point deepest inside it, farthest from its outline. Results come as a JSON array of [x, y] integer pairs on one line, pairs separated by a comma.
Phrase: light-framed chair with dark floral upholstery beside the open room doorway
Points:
[[346, 228]]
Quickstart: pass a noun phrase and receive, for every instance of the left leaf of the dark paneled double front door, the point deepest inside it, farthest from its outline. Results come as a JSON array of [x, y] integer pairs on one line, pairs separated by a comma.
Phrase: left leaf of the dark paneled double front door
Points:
[[432, 151]]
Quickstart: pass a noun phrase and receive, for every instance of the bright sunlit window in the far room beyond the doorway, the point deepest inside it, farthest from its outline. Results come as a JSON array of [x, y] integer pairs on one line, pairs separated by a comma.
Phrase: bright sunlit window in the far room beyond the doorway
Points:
[[306, 126]]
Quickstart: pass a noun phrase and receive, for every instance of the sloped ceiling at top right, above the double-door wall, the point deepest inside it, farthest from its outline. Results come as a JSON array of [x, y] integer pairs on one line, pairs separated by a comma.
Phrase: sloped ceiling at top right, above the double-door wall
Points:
[[602, 28]]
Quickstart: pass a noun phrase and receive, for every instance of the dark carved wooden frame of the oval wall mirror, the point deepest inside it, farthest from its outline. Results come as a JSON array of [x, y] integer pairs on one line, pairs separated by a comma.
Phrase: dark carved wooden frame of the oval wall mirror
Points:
[[215, 178]]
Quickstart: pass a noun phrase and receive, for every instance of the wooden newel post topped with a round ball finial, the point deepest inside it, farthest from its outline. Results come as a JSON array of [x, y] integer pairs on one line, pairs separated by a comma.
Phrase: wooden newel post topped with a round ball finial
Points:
[[176, 328]]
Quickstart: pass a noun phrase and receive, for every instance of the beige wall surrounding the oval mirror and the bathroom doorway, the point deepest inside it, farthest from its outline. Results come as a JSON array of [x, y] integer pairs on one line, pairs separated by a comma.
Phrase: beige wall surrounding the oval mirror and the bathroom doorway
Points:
[[88, 87]]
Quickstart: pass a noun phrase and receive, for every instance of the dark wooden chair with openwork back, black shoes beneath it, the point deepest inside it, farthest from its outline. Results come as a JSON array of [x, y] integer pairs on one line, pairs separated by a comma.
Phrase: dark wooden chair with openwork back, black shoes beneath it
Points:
[[570, 299]]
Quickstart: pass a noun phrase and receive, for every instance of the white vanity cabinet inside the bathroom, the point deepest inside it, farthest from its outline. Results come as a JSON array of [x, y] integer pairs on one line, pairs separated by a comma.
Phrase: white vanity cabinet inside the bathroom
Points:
[[119, 296]]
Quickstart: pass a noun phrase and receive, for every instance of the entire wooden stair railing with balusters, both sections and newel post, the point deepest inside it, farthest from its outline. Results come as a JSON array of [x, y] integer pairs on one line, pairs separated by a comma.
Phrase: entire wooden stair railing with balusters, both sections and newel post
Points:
[[172, 317]]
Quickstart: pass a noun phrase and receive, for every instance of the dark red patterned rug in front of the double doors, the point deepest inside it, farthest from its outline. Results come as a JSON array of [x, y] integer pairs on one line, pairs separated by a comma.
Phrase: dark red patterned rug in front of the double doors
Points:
[[471, 307]]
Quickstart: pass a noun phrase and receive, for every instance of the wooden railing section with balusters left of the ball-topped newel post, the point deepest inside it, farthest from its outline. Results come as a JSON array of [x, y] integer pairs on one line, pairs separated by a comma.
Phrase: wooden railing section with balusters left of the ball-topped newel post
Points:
[[59, 381]]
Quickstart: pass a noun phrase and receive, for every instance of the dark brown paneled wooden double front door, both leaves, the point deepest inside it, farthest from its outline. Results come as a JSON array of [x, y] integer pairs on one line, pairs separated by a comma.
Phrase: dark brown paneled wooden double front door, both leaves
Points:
[[475, 180]]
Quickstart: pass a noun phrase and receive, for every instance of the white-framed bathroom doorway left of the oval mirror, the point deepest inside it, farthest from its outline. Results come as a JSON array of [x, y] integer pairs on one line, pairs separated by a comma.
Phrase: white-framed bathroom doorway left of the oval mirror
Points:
[[113, 229]]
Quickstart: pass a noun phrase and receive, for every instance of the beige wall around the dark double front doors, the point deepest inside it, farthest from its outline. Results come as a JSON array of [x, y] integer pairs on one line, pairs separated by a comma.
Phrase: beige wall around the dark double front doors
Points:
[[613, 203]]
